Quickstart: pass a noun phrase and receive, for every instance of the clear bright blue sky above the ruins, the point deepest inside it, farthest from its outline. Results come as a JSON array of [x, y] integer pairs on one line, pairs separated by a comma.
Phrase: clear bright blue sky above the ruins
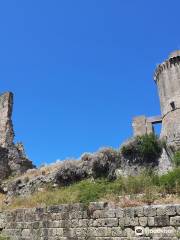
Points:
[[80, 70]]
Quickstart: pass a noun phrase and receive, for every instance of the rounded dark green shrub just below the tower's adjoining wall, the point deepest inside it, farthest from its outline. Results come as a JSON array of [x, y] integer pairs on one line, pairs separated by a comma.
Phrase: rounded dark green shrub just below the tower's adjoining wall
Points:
[[146, 148]]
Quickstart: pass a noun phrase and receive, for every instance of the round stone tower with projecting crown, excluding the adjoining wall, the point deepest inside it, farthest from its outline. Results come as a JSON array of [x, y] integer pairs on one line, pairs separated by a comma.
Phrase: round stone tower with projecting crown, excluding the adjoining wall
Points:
[[167, 78]]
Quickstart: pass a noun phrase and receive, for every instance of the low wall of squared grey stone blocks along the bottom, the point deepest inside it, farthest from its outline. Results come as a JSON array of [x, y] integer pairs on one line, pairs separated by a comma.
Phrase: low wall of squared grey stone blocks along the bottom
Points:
[[98, 221]]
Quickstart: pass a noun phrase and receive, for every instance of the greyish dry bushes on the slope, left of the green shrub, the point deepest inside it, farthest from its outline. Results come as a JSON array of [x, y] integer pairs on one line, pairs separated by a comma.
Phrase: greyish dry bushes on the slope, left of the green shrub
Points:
[[98, 165]]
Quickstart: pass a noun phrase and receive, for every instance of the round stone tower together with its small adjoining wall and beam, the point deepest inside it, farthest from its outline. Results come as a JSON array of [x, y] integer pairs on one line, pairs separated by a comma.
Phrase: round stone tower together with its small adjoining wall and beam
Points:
[[167, 78]]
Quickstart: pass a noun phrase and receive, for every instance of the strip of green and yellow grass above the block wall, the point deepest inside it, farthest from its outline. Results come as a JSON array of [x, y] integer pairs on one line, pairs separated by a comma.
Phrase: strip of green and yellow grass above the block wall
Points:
[[146, 188]]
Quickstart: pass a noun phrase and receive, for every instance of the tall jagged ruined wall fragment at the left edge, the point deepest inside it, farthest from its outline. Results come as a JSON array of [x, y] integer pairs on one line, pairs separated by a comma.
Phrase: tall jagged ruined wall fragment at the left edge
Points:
[[13, 159]]
